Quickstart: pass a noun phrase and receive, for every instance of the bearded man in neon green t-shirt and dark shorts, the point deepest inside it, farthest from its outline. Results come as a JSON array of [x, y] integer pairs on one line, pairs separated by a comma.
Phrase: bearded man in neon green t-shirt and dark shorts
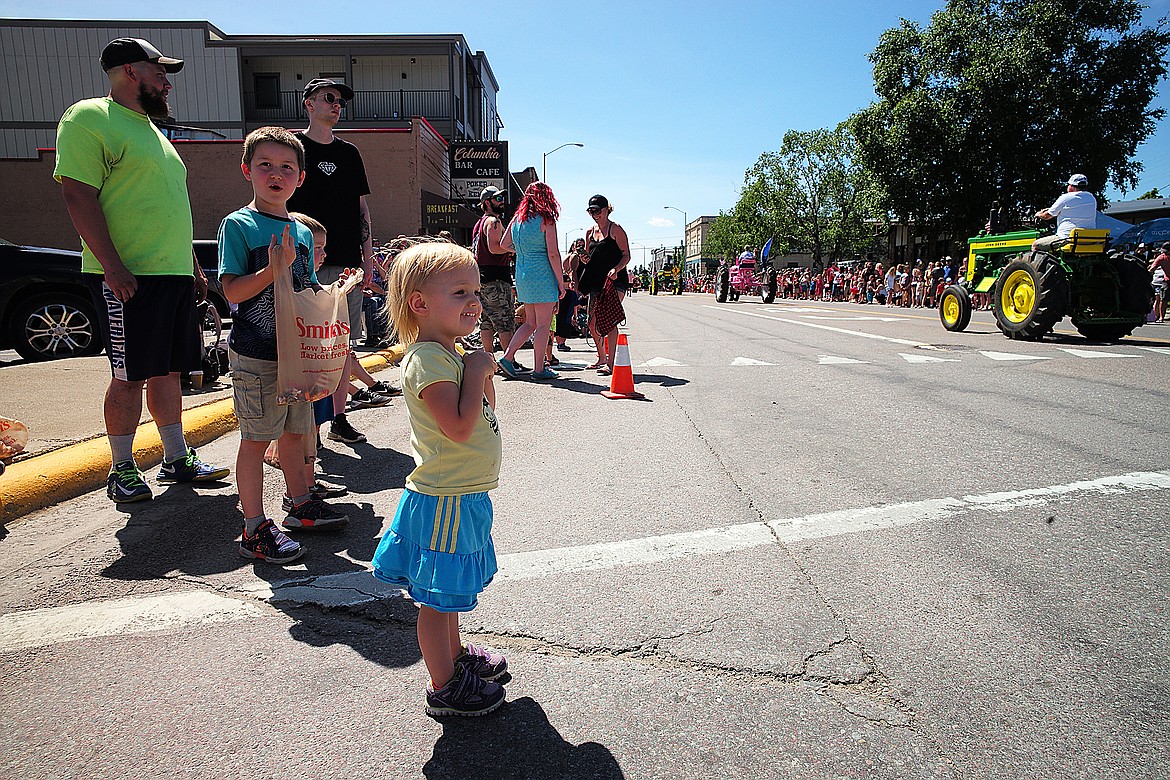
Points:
[[126, 189]]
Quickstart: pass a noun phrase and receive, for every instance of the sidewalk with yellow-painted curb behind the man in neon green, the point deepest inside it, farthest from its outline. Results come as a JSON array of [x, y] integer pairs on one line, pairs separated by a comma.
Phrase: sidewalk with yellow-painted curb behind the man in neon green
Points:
[[68, 454]]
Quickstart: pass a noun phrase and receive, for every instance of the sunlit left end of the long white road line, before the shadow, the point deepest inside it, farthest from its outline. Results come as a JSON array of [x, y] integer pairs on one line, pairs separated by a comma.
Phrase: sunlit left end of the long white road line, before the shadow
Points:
[[22, 631]]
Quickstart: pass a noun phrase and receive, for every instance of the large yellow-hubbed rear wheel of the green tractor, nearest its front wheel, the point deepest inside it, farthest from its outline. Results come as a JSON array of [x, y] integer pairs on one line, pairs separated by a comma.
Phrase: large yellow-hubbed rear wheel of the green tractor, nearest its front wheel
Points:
[[1030, 296]]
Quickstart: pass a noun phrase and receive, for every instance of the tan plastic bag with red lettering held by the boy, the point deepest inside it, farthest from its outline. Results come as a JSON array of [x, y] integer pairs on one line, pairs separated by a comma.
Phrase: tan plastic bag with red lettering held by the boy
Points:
[[313, 337]]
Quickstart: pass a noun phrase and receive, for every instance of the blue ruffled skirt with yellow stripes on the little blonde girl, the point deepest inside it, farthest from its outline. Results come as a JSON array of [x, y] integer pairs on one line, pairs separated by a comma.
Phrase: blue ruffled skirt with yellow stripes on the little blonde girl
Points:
[[439, 549]]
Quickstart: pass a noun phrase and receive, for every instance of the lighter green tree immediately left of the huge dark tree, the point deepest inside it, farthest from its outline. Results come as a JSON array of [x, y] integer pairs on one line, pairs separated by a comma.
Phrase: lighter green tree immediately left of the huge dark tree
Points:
[[817, 195]]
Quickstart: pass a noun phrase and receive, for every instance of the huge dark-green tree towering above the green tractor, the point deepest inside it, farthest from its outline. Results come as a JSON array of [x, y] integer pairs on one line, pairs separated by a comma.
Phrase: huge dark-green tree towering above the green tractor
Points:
[[1003, 100]]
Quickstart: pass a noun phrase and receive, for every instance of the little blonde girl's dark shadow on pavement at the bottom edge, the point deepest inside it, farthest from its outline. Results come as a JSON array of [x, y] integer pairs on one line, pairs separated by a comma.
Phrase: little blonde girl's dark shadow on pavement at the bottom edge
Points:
[[515, 742]]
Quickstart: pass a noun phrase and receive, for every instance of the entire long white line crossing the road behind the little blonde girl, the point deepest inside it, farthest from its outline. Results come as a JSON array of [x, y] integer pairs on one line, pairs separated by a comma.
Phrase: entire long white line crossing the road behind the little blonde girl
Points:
[[45, 627]]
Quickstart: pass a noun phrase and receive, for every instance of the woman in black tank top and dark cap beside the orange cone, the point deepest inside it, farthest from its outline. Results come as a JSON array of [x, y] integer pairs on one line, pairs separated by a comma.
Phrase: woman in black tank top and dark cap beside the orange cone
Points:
[[609, 254]]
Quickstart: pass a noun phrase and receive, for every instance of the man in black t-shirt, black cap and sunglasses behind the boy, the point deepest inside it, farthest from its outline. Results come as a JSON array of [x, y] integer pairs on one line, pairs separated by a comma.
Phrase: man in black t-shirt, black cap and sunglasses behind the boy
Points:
[[335, 194]]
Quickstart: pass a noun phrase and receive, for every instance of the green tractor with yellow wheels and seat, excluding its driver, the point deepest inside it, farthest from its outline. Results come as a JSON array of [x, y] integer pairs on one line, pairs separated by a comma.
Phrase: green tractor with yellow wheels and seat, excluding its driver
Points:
[[1106, 294]]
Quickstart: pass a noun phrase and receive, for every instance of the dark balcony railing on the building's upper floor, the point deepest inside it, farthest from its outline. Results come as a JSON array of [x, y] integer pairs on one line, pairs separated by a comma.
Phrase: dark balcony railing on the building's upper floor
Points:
[[367, 106]]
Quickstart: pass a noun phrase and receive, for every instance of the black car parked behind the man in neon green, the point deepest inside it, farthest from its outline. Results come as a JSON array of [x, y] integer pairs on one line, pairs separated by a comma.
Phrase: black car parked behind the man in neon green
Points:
[[47, 312]]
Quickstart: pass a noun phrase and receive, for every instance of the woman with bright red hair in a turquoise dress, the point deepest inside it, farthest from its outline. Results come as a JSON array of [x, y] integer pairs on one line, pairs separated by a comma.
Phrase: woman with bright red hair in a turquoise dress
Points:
[[533, 236]]
